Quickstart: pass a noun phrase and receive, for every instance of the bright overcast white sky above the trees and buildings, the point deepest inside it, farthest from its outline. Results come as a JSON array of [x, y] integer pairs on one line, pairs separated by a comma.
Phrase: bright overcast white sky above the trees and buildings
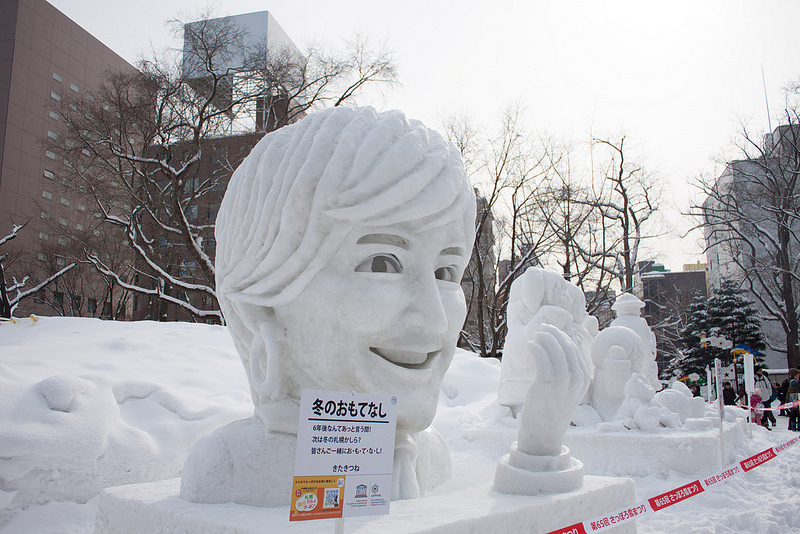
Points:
[[677, 77]]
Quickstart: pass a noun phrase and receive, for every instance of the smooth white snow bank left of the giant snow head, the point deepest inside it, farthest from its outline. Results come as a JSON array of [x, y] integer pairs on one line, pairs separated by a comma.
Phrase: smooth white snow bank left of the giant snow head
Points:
[[87, 404]]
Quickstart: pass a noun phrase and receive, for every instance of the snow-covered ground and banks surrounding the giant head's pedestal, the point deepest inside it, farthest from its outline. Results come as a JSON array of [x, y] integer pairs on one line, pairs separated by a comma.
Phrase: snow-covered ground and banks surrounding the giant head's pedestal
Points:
[[86, 404]]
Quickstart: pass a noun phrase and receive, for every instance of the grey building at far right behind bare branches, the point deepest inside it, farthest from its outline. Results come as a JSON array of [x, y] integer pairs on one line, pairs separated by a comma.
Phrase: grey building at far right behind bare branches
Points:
[[752, 201]]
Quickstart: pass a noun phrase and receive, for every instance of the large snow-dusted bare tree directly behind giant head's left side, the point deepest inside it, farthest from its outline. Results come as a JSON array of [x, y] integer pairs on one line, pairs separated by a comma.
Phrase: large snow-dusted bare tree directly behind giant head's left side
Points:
[[152, 150]]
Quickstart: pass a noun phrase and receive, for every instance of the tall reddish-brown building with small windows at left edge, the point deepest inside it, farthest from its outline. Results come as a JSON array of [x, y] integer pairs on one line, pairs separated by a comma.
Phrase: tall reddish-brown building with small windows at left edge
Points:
[[44, 56]]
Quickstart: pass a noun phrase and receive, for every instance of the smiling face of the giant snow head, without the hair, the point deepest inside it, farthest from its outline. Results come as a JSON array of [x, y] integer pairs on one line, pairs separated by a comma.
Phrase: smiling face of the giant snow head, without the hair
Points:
[[388, 309]]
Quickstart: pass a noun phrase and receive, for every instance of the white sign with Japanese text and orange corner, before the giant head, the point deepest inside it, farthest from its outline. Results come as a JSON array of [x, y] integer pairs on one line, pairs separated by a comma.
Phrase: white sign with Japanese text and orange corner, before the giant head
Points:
[[345, 448]]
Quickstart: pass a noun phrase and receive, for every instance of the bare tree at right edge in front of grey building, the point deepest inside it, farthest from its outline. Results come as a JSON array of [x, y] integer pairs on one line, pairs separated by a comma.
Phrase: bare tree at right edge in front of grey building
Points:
[[751, 219]]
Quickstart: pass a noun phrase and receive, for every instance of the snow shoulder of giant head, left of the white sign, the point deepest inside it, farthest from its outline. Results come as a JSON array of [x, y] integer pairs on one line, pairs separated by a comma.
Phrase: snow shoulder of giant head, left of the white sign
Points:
[[240, 462]]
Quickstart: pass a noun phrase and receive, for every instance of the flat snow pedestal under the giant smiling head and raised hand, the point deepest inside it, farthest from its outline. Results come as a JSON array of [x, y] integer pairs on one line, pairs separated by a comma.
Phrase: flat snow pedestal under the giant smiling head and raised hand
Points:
[[155, 507]]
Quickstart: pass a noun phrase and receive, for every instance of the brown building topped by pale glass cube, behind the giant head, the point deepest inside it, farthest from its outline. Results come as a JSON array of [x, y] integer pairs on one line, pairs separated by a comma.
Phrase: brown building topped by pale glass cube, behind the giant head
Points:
[[250, 101]]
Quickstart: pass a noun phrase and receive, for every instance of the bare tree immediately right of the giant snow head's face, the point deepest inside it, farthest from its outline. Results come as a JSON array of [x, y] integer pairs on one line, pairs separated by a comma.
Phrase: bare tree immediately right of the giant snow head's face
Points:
[[507, 171]]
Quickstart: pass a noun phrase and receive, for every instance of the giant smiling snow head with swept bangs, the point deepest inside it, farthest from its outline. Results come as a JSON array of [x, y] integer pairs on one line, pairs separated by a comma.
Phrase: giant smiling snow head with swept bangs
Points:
[[341, 242]]
